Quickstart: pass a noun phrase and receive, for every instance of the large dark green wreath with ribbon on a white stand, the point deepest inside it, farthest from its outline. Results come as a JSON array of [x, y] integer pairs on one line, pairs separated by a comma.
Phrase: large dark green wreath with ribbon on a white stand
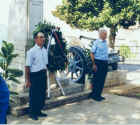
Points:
[[57, 52]]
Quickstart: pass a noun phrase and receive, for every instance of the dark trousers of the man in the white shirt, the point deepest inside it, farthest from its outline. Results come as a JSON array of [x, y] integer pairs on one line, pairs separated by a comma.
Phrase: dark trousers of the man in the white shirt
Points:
[[37, 92]]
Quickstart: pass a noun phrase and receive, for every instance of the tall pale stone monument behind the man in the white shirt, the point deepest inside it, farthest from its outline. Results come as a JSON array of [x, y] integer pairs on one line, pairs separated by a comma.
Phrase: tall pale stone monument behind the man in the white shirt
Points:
[[23, 16]]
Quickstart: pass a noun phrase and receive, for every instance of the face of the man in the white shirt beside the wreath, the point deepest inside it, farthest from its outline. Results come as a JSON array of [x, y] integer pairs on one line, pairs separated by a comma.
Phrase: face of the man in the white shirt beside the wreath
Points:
[[40, 39]]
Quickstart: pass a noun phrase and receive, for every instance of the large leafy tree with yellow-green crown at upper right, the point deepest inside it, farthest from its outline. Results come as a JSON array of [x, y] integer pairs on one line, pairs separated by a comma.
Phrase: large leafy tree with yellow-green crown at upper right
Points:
[[93, 14]]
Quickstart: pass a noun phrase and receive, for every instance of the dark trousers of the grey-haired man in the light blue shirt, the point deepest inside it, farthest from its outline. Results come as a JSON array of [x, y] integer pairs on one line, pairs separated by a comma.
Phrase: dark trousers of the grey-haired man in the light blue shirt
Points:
[[99, 77]]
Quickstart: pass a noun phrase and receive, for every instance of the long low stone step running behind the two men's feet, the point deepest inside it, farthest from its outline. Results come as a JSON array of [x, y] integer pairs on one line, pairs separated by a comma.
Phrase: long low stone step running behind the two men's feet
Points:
[[52, 103]]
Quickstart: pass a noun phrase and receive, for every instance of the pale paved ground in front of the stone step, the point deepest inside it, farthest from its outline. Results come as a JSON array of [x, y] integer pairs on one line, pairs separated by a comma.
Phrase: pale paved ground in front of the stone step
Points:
[[115, 110]]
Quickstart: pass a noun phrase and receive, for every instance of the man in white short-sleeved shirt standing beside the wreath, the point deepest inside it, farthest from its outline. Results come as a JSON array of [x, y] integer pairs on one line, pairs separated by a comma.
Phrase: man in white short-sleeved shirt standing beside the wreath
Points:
[[35, 73]]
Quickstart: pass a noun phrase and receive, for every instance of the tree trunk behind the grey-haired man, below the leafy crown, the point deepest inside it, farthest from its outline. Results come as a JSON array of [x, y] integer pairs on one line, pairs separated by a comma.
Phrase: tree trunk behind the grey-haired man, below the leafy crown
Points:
[[112, 36]]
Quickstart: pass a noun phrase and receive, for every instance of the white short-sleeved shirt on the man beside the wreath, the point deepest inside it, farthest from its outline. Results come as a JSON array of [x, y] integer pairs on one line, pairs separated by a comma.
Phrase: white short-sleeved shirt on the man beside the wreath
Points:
[[37, 58]]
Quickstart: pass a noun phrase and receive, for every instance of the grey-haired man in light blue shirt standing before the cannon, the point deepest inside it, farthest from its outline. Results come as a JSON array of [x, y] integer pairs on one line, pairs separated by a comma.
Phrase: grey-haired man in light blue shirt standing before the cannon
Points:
[[99, 56]]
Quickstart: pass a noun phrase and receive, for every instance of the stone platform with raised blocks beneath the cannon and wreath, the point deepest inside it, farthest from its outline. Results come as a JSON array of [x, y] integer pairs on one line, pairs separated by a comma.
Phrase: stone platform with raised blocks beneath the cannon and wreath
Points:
[[73, 93]]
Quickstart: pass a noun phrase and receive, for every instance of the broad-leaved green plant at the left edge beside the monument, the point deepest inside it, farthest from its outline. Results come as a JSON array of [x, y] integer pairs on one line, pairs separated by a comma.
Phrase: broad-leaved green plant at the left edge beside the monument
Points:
[[7, 55]]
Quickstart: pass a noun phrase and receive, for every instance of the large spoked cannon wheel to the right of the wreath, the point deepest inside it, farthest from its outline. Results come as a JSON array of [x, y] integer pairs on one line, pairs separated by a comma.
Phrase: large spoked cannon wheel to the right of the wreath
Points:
[[75, 69]]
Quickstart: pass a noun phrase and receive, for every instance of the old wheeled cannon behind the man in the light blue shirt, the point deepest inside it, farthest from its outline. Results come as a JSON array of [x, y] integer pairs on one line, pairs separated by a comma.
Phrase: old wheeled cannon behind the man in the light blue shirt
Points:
[[80, 64]]
